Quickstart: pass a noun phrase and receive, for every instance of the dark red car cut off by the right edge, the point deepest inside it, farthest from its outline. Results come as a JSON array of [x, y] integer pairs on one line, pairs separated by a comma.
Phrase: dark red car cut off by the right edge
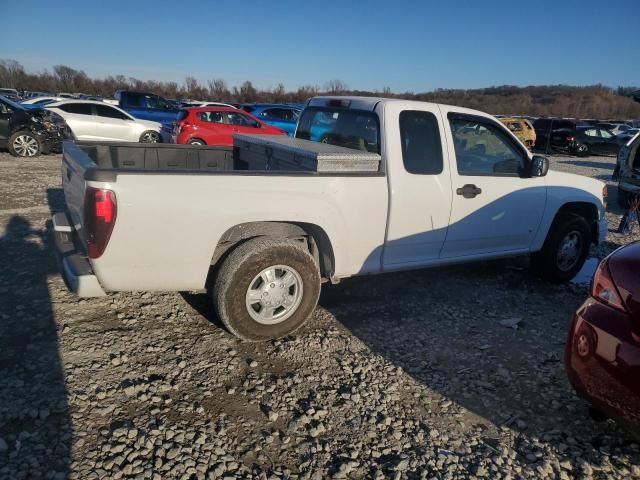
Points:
[[602, 356]]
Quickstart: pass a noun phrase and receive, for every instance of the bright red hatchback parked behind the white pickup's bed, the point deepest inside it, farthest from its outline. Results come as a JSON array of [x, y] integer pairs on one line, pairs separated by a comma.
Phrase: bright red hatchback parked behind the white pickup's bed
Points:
[[216, 126]]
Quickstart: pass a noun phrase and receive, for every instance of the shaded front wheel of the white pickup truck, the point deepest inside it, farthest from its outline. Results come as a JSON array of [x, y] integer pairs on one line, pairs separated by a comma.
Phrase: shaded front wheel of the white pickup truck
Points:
[[565, 249]]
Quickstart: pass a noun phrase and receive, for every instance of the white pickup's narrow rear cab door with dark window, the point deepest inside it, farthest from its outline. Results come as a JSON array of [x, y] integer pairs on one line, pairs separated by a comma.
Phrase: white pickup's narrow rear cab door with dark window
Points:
[[419, 184]]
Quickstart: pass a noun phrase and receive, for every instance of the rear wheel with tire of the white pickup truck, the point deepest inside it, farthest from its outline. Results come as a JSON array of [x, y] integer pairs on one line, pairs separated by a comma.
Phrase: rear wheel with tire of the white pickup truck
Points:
[[266, 288]]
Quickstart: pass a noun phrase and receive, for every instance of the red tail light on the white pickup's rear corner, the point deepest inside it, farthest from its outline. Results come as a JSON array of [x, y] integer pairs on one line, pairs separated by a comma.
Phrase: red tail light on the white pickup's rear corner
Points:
[[99, 218]]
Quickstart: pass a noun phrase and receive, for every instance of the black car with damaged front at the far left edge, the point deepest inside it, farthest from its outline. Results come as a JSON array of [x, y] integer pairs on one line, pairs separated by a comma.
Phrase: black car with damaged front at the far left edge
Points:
[[27, 132]]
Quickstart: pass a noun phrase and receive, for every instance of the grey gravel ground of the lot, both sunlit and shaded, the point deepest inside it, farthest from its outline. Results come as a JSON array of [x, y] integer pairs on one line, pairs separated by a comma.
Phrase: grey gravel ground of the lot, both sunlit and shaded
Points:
[[408, 375]]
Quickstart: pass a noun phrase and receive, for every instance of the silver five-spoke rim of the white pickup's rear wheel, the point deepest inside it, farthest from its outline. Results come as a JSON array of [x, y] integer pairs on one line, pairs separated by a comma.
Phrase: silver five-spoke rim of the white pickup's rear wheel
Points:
[[274, 294]]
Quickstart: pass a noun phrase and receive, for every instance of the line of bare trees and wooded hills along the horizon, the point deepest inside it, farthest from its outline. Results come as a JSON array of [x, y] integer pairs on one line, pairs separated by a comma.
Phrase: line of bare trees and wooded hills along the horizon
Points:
[[596, 101]]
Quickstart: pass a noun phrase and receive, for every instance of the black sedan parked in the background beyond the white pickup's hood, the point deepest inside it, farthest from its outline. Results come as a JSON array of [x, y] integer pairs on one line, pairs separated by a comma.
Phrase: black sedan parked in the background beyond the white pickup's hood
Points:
[[585, 141]]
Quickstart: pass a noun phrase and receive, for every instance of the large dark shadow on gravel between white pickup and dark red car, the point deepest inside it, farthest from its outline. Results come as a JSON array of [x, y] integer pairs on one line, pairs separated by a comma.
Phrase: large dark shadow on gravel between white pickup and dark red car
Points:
[[442, 328]]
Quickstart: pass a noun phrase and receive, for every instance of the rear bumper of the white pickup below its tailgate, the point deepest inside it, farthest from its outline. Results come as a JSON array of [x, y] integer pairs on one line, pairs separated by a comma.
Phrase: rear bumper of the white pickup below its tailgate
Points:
[[75, 267]]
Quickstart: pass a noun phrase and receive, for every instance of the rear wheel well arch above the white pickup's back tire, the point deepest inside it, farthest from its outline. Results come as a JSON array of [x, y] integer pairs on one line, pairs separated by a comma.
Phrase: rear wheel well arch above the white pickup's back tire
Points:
[[314, 237]]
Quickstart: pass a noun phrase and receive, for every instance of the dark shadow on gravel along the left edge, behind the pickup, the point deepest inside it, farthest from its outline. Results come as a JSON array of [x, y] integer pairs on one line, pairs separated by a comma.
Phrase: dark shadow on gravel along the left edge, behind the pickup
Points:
[[35, 425]]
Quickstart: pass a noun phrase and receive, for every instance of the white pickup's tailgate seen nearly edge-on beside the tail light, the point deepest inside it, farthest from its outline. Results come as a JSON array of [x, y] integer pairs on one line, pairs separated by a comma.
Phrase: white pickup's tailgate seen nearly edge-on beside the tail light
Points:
[[75, 162]]
